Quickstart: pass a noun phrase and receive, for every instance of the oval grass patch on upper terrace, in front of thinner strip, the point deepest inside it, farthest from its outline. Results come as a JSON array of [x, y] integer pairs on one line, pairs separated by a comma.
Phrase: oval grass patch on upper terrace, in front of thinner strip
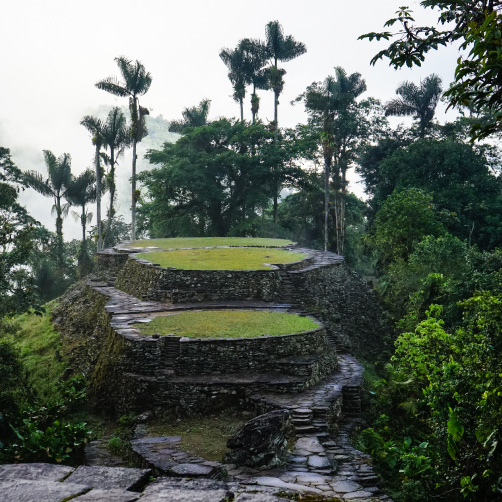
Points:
[[222, 258]]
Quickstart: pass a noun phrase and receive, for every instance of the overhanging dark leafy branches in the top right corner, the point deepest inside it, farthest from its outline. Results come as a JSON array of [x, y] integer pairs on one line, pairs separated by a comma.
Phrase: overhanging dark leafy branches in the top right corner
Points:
[[477, 25]]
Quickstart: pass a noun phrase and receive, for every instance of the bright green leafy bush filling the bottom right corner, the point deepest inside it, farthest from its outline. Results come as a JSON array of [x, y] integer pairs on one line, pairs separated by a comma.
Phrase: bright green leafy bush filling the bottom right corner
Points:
[[456, 376]]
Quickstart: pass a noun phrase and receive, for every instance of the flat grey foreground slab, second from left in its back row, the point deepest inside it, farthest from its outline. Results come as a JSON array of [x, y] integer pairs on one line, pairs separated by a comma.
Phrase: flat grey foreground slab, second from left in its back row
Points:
[[110, 477]]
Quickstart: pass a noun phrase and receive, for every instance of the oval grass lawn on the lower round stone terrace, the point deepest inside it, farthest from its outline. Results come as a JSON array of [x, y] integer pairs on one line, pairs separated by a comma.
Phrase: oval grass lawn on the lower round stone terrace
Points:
[[227, 324]]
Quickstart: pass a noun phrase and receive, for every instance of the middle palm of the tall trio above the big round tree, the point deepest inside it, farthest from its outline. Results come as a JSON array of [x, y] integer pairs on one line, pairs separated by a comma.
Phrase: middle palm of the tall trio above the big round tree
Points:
[[255, 58]]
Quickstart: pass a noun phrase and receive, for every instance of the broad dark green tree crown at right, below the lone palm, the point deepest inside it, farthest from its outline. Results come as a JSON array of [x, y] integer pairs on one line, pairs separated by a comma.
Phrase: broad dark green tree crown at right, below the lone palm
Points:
[[458, 176]]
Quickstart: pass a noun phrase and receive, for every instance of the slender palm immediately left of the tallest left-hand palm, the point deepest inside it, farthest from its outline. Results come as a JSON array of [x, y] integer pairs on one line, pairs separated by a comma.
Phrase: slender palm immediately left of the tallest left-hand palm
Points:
[[116, 137]]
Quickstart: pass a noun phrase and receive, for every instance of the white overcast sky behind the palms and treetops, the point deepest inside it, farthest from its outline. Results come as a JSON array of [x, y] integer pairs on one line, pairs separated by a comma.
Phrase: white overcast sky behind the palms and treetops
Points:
[[54, 51]]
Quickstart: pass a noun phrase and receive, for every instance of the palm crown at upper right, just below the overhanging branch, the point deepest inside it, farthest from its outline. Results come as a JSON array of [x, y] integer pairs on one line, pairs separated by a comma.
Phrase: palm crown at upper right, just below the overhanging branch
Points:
[[420, 102]]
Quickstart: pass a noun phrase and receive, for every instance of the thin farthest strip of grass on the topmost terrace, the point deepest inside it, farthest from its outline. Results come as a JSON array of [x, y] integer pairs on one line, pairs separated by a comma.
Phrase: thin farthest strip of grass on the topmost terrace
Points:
[[200, 242]]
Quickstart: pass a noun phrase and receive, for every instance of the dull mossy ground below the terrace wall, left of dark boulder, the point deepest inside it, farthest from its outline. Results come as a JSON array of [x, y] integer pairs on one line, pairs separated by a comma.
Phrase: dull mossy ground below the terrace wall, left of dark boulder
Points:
[[205, 436]]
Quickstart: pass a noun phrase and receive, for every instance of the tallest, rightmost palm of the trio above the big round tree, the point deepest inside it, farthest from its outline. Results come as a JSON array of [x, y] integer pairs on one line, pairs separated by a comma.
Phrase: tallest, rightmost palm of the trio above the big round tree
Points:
[[280, 48]]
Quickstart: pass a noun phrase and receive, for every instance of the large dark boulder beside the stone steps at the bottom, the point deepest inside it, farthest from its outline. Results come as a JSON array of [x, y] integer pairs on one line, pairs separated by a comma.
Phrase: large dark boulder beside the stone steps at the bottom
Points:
[[261, 442]]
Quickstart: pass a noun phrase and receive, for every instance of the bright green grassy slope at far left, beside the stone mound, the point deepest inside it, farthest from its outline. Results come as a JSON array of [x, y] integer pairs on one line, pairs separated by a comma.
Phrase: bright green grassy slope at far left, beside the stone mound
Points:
[[39, 346]]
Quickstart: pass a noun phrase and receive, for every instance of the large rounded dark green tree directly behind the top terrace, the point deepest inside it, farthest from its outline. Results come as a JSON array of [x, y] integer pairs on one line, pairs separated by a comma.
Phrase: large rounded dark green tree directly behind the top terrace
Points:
[[214, 178]]
